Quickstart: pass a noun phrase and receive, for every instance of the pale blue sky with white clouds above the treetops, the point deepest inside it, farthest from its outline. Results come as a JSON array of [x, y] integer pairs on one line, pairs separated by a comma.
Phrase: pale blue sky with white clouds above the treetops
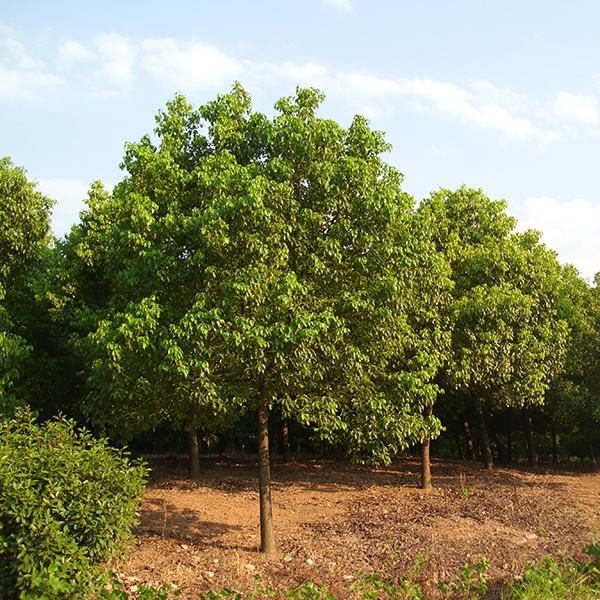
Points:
[[499, 95]]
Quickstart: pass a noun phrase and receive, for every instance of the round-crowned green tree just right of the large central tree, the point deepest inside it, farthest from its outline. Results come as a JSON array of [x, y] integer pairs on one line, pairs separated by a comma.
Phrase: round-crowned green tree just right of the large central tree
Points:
[[507, 337]]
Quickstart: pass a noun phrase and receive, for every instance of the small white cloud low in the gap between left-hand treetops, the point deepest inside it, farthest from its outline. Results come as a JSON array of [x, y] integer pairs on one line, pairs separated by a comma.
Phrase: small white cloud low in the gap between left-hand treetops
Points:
[[70, 196]]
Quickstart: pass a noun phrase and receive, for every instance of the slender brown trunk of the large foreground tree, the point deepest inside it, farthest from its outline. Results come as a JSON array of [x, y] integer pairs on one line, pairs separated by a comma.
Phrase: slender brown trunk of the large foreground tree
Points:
[[267, 533]]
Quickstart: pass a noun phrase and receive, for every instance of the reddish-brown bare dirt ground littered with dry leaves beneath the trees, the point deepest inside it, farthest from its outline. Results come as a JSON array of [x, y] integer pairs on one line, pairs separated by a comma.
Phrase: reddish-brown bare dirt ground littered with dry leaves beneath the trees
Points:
[[336, 522]]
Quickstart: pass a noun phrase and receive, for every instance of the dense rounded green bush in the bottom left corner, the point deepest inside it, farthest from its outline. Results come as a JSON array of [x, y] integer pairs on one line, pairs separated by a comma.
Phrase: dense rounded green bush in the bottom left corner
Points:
[[67, 504]]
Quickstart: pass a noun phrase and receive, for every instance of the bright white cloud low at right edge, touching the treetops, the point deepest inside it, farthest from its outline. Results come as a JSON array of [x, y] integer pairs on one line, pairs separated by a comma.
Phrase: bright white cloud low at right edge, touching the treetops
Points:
[[571, 228]]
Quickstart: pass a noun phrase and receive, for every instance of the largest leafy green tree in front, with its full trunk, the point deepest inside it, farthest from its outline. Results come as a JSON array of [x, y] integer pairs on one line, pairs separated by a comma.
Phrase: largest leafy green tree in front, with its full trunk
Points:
[[255, 263]]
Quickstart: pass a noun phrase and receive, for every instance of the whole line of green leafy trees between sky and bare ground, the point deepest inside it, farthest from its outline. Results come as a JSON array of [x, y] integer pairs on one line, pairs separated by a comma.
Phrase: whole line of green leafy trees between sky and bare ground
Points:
[[266, 282]]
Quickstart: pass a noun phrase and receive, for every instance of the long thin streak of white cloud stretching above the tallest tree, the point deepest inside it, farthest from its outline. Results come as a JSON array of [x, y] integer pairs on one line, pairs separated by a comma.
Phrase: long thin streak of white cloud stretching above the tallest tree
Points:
[[194, 65]]
